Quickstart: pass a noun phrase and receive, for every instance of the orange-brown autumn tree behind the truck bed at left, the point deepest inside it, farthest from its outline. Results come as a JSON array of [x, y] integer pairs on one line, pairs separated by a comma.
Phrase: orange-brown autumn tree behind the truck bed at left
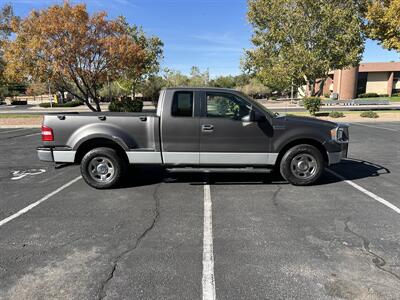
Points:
[[76, 52]]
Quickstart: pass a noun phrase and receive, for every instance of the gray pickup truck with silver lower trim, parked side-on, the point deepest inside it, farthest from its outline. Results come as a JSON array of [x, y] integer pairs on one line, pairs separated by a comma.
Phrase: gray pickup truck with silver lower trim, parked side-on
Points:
[[195, 130]]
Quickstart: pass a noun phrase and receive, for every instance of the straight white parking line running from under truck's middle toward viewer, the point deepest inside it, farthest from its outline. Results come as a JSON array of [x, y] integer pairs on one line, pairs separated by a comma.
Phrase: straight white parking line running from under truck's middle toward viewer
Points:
[[208, 280]]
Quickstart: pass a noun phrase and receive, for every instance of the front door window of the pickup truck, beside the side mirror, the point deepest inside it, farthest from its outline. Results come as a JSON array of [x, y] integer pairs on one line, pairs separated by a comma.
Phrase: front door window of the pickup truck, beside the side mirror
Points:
[[226, 106]]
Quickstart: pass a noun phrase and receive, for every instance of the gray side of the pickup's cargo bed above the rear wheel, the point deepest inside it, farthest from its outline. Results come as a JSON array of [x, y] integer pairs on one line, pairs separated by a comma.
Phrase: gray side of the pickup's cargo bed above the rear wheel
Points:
[[133, 131]]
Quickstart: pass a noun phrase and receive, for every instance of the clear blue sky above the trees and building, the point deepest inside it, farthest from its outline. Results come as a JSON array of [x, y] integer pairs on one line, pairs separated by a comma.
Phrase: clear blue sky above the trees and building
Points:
[[205, 33]]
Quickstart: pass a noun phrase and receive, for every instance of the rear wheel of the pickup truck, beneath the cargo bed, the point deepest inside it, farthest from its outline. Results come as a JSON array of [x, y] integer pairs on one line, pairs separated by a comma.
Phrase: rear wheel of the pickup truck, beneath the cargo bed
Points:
[[102, 168]]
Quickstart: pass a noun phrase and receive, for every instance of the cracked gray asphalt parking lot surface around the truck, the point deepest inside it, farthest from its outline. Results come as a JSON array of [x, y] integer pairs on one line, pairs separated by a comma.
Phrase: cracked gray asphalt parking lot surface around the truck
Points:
[[269, 240]]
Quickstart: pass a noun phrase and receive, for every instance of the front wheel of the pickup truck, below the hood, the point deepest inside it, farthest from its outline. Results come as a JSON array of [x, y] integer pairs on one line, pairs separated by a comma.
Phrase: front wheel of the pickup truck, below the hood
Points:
[[302, 165]]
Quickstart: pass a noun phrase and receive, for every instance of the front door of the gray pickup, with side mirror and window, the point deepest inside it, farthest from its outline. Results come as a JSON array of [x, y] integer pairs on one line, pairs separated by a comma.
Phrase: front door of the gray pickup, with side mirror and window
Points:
[[228, 136]]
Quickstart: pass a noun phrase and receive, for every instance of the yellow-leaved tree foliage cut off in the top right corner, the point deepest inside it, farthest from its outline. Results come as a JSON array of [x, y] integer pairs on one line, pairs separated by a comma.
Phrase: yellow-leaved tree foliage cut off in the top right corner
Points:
[[383, 23]]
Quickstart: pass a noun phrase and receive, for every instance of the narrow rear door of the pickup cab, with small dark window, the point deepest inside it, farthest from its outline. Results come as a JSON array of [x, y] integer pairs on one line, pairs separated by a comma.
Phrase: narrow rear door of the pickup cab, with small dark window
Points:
[[180, 128]]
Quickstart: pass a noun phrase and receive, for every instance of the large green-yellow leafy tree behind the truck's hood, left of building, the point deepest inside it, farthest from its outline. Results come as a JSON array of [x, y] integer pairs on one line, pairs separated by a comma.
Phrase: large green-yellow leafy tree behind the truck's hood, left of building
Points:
[[297, 42]]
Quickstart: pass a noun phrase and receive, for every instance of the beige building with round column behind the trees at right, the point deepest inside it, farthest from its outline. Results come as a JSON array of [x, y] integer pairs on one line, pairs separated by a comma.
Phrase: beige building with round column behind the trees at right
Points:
[[380, 78]]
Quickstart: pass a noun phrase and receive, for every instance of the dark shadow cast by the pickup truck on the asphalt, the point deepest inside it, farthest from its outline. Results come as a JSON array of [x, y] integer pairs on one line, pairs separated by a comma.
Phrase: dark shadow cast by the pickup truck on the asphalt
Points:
[[350, 169]]
